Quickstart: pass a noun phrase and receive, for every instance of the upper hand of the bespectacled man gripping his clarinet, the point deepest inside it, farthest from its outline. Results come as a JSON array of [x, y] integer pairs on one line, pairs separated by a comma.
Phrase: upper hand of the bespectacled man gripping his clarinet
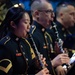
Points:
[[60, 59]]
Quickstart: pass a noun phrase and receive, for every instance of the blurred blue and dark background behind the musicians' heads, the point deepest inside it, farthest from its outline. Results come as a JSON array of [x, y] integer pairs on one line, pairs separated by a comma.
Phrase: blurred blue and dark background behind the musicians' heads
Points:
[[6, 4]]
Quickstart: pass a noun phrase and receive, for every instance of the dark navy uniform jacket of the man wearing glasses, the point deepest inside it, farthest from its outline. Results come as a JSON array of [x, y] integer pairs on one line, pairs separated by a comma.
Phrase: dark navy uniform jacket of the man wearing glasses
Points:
[[43, 42]]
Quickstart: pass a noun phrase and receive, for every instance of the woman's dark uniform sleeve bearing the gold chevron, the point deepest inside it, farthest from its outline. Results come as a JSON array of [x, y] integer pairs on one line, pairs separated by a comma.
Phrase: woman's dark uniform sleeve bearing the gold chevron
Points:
[[5, 62]]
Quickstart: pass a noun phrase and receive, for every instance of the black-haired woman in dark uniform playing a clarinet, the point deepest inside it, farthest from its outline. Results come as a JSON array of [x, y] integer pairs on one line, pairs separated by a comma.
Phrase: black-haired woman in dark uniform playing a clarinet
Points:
[[16, 55]]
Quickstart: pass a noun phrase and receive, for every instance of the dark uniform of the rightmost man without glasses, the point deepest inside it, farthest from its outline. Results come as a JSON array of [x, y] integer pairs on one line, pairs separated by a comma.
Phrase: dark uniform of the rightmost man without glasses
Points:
[[63, 34]]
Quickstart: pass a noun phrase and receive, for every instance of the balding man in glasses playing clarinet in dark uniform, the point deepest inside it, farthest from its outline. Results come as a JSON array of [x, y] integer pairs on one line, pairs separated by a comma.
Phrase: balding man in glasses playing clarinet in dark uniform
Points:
[[42, 14]]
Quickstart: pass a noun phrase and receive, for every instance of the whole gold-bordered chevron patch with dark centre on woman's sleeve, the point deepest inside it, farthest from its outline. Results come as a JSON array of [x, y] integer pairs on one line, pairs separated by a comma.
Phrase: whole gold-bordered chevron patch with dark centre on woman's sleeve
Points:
[[5, 65]]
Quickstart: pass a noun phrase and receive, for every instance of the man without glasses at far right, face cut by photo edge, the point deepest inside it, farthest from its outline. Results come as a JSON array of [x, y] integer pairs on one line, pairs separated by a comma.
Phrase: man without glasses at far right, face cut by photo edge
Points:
[[64, 19]]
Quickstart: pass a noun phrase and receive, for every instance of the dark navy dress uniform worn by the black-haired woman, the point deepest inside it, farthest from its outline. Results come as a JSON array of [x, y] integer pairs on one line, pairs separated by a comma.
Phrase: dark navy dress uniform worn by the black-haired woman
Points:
[[16, 56]]
